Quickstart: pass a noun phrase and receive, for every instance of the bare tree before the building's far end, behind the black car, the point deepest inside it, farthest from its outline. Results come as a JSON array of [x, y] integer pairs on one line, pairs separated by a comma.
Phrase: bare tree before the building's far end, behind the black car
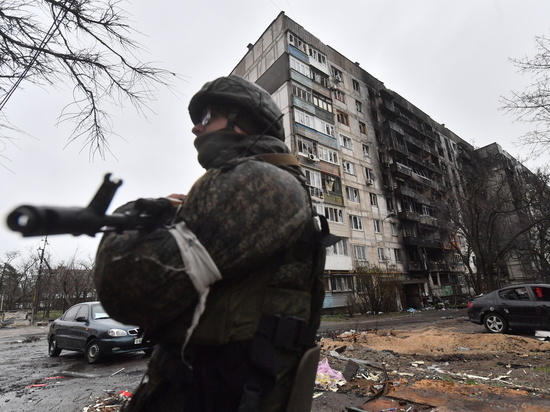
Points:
[[496, 215]]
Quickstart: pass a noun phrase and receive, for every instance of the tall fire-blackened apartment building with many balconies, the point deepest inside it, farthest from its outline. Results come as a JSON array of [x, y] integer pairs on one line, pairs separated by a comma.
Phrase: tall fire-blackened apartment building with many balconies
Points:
[[381, 171]]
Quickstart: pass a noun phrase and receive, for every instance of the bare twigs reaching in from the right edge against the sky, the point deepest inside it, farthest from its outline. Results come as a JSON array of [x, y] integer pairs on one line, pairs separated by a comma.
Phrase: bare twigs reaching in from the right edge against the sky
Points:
[[533, 104]]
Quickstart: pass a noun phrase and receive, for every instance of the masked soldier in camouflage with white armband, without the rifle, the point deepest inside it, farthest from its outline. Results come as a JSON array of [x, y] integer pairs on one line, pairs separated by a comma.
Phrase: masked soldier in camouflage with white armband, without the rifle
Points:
[[230, 285]]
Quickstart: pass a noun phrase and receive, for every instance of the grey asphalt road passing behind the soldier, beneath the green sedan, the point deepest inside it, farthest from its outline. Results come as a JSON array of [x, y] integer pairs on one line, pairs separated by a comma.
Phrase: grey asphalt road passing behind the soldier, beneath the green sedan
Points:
[[32, 381]]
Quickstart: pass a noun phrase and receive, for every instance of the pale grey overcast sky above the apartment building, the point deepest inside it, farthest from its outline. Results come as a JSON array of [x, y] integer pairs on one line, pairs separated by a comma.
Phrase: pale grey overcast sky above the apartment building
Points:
[[449, 58]]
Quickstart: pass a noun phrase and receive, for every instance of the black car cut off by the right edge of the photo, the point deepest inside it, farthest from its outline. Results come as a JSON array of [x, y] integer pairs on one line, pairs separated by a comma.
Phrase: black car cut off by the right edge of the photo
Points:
[[525, 306]]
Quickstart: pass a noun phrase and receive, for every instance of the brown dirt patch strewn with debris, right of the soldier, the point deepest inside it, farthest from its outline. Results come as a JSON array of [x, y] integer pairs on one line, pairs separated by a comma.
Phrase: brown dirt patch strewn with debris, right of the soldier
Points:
[[437, 368]]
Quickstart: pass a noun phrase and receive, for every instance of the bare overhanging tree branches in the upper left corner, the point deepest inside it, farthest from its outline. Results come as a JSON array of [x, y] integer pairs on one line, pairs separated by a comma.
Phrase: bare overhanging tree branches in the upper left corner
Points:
[[86, 43]]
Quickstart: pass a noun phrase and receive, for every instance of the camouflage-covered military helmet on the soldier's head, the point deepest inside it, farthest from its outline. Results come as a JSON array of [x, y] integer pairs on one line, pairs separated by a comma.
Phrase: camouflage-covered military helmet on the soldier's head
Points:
[[242, 96]]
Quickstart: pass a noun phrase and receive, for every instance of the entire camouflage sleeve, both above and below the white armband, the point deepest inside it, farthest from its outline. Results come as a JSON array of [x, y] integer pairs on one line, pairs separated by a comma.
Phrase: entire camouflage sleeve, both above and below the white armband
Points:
[[242, 216]]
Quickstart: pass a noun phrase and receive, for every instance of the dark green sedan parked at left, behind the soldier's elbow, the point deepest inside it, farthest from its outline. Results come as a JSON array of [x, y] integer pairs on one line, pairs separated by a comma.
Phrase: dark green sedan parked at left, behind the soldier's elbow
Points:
[[86, 327]]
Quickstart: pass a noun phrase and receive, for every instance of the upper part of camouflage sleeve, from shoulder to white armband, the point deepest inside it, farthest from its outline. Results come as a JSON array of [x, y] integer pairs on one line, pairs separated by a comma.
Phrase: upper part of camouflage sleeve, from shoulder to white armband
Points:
[[246, 214]]
